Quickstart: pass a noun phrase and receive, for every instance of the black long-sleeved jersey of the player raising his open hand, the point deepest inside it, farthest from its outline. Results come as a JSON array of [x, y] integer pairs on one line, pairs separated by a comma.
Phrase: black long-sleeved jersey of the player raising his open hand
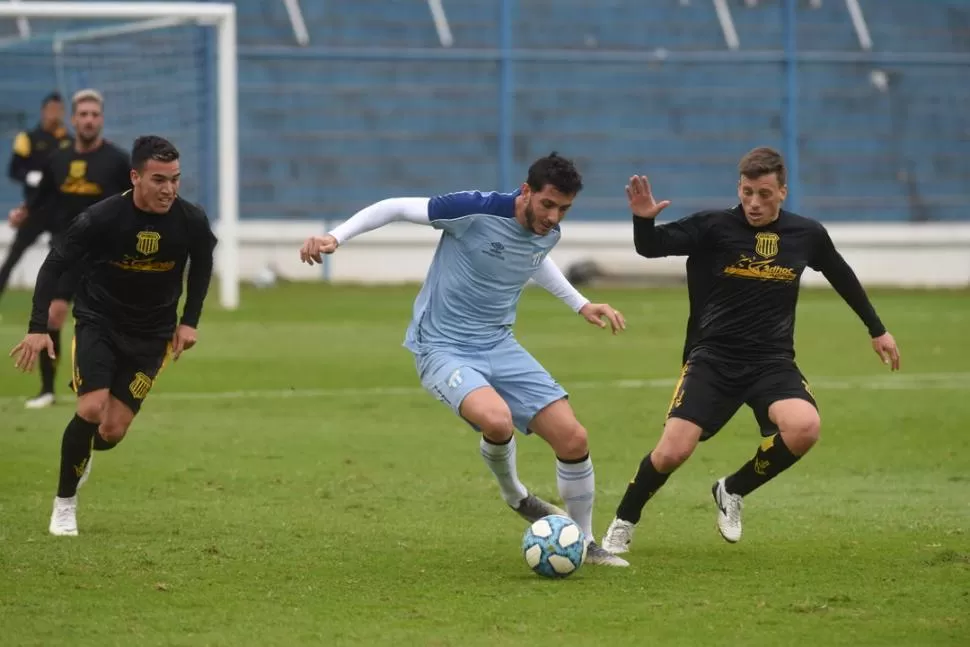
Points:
[[743, 280]]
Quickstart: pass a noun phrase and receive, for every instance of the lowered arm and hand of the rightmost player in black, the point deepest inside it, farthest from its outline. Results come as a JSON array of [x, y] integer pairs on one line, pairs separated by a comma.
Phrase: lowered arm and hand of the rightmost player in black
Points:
[[828, 261]]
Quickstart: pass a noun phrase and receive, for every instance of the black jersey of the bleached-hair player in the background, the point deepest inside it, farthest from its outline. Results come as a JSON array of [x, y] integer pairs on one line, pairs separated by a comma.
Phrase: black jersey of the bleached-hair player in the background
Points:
[[74, 181]]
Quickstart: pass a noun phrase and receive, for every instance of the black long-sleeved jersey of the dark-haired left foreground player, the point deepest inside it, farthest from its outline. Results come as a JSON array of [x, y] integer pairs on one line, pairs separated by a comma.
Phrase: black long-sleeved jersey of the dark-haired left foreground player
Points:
[[132, 263]]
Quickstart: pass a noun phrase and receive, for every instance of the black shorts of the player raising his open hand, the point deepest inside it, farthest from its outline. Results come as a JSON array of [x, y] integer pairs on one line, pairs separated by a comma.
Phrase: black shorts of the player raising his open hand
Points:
[[710, 391]]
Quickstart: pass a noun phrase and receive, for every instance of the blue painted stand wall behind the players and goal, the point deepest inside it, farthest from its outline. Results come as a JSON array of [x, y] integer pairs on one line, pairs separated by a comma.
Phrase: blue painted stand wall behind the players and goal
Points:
[[376, 108]]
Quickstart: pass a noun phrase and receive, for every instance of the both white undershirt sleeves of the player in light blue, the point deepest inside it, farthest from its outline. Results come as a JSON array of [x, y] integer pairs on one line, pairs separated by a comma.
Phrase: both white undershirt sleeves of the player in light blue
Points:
[[415, 210]]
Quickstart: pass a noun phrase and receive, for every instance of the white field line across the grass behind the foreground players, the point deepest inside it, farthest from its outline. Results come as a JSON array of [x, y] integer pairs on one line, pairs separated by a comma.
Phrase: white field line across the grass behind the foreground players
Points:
[[899, 382]]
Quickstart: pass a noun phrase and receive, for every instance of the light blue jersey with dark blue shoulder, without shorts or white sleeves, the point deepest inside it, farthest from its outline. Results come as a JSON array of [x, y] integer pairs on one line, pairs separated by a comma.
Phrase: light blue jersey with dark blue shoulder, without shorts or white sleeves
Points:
[[483, 261]]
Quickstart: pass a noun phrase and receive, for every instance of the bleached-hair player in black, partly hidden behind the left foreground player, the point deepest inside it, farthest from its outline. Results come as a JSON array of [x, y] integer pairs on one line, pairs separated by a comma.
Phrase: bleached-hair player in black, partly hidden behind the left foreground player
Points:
[[74, 178]]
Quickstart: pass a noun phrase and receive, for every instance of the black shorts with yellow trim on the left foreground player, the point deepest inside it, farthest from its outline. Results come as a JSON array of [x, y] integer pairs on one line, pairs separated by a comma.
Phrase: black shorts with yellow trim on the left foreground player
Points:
[[127, 367]]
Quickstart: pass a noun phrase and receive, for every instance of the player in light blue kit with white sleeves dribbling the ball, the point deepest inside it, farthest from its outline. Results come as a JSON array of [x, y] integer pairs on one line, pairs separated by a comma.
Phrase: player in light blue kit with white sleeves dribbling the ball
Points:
[[491, 245]]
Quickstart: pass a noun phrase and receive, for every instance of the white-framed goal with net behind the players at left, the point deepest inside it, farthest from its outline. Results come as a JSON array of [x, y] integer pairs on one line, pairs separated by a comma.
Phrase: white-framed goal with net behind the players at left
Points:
[[166, 69]]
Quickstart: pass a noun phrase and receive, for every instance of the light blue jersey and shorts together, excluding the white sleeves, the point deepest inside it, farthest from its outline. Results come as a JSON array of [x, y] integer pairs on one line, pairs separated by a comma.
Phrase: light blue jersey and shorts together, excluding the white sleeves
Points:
[[461, 332]]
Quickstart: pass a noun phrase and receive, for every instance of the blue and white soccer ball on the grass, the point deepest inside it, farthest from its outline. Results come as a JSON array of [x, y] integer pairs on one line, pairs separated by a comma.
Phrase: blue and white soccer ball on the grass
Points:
[[554, 546]]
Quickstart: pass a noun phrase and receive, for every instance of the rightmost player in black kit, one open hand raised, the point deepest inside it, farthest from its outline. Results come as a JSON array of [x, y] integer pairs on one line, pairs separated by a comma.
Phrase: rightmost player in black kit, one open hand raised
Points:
[[743, 269]]
